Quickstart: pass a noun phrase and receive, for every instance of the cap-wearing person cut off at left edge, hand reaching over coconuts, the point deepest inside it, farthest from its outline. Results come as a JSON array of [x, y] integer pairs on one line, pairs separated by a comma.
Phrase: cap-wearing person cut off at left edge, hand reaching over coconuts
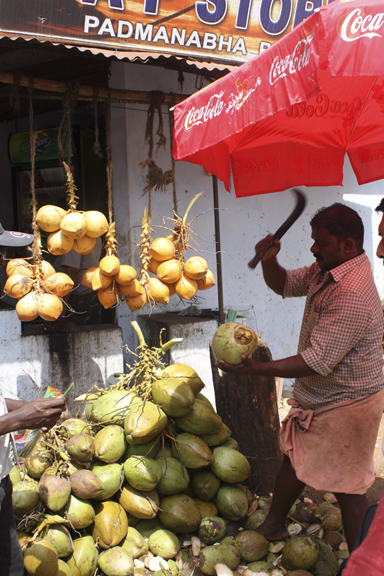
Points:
[[16, 415]]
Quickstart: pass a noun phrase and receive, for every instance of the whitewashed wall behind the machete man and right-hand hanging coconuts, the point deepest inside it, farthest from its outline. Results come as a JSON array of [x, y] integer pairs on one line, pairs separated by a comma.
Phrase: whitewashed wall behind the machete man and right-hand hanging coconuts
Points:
[[243, 221]]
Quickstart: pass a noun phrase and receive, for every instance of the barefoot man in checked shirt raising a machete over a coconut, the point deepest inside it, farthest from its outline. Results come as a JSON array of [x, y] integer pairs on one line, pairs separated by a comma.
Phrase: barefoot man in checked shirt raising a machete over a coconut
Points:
[[329, 435]]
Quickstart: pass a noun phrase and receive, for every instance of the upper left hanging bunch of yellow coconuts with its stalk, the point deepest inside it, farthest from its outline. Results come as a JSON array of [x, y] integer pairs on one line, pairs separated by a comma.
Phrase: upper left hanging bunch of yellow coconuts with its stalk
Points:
[[71, 229]]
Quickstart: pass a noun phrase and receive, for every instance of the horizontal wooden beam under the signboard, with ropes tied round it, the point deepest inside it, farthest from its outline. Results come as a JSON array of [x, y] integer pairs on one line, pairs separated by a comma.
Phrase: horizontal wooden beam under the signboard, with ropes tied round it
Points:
[[87, 92]]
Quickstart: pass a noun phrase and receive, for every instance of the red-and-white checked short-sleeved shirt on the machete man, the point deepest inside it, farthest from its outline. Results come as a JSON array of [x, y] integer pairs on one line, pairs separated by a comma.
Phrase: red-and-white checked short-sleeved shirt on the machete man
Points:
[[341, 332]]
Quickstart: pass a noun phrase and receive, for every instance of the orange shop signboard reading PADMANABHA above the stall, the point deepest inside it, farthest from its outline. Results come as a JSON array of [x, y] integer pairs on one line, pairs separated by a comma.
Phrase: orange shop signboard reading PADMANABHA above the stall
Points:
[[223, 30]]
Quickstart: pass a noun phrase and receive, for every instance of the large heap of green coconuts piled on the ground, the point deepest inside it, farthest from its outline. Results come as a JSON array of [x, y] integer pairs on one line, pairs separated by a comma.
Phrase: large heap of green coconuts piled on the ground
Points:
[[152, 479]]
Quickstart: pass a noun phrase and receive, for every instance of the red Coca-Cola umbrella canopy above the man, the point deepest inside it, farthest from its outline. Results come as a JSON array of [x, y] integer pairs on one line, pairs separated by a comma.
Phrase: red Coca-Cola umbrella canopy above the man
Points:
[[288, 116]]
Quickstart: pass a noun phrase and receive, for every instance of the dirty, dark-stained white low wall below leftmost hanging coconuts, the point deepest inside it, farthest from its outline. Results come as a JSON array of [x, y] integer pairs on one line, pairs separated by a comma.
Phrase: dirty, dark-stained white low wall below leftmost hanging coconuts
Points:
[[29, 364]]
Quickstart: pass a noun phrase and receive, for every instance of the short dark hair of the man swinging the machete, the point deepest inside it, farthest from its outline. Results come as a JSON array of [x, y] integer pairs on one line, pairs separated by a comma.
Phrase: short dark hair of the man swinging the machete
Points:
[[340, 221]]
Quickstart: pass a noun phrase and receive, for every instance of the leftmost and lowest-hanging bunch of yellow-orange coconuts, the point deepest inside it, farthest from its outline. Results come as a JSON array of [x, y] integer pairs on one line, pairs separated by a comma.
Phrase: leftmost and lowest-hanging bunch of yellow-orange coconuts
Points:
[[38, 288]]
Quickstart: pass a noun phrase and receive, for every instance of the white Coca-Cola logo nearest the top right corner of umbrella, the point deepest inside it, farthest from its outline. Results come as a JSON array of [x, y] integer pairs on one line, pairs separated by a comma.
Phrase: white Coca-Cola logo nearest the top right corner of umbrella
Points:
[[357, 24]]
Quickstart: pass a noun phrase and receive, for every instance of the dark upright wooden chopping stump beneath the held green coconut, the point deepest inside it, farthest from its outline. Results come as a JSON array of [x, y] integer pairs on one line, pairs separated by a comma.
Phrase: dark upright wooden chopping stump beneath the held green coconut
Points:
[[248, 405]]
